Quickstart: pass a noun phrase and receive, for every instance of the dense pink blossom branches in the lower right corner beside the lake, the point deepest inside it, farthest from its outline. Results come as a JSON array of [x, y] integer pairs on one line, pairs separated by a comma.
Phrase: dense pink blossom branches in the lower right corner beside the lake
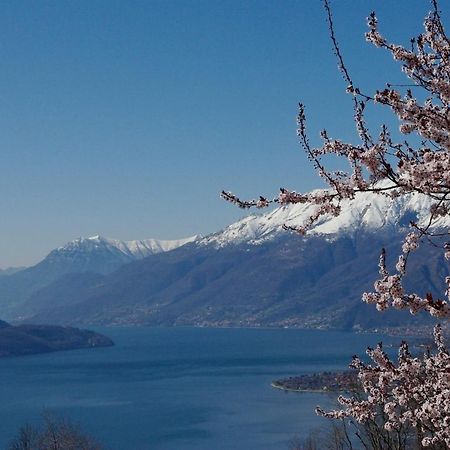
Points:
[[407, 392]]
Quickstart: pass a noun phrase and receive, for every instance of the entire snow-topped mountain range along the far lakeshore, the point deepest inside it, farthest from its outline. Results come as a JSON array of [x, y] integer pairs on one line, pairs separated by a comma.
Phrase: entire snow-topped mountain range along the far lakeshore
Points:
[[252, 273]]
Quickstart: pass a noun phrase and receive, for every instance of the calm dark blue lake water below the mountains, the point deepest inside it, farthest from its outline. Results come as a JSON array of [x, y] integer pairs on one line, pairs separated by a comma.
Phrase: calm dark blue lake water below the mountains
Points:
[[179, 388]]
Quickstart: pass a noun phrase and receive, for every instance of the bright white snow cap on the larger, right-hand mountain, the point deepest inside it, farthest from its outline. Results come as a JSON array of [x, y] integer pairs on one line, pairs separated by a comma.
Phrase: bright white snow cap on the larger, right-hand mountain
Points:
[[365, 212]]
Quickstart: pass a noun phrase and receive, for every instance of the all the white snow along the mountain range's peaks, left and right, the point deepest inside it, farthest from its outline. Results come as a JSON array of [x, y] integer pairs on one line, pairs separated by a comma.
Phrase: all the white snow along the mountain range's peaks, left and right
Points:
[[365, 212]]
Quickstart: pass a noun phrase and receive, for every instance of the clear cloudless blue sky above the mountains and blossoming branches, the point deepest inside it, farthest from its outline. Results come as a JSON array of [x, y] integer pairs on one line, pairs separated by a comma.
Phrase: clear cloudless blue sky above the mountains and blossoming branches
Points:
[[127, 118]]
